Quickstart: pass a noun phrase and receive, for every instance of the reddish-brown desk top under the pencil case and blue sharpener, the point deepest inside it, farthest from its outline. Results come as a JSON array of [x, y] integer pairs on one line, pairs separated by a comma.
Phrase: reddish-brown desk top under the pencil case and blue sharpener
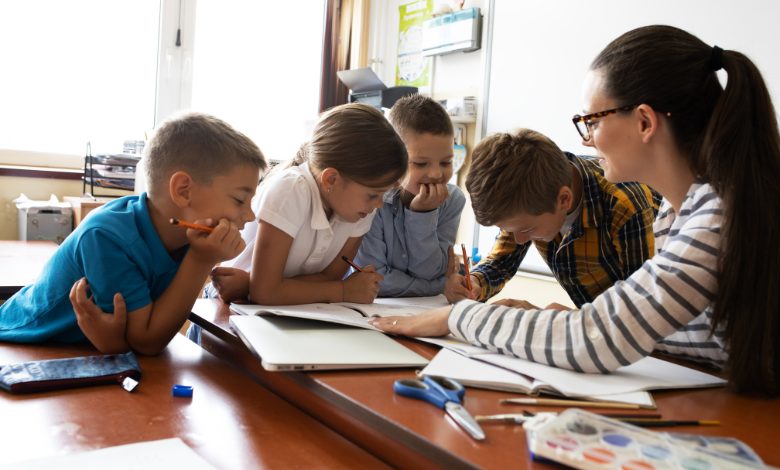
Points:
[[230, 421]]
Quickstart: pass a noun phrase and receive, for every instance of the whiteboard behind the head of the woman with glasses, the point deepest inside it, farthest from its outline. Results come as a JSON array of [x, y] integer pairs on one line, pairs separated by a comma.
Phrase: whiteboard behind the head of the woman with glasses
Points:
[[542, 50]]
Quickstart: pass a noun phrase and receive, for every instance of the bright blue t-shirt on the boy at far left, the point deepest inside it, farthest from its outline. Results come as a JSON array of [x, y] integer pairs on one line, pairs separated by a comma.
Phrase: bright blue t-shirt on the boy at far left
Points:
[[117, 249]]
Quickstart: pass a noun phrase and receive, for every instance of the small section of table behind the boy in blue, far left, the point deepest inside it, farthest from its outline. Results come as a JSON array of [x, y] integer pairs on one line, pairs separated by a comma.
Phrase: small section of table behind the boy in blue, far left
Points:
[[21, 262]]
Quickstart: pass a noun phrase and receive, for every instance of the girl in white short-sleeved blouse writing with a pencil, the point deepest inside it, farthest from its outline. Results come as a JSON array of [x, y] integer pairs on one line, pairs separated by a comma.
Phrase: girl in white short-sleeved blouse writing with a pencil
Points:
[[314, 211]]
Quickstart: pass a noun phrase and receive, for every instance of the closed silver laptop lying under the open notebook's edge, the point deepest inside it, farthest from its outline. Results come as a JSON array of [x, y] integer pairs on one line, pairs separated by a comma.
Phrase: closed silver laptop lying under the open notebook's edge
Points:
[[284, 343]]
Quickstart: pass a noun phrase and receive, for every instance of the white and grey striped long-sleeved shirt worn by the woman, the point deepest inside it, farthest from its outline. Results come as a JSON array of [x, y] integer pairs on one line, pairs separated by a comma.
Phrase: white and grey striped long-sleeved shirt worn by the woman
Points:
[[666, 305]]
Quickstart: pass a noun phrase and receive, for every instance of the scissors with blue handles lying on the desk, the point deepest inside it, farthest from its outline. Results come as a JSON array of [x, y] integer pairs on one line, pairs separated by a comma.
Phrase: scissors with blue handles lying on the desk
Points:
[[444, 393]]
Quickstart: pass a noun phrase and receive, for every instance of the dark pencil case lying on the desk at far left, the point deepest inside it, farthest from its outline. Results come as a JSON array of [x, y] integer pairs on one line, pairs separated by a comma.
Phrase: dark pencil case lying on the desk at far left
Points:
[[54, 374]]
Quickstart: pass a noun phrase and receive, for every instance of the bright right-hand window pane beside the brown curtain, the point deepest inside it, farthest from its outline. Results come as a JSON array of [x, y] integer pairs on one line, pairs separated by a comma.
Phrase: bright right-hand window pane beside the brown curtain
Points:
[[258, 67]]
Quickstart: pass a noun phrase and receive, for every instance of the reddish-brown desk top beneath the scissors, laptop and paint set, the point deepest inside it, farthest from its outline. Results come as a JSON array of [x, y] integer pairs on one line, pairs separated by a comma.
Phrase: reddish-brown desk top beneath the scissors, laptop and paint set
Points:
[[361, 405]]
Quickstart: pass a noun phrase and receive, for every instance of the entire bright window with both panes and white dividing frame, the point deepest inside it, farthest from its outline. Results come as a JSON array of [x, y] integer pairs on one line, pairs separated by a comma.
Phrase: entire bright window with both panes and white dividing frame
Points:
[[87, 70]]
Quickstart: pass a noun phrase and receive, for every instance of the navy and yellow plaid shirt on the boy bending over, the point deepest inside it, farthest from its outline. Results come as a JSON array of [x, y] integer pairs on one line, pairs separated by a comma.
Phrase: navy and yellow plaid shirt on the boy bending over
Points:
[[610, 240]]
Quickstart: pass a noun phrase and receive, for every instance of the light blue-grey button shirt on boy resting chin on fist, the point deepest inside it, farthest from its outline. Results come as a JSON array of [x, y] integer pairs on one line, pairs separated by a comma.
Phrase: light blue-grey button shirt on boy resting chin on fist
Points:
[[411, 248]]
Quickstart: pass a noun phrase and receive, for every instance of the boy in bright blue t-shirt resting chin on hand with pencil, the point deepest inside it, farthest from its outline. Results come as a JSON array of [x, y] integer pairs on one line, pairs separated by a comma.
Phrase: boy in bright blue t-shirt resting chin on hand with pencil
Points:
[[127, 258]]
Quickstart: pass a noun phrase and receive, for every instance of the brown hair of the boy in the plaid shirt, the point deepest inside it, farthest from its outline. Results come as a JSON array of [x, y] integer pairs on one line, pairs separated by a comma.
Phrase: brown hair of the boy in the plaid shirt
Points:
[[516, 173]]
